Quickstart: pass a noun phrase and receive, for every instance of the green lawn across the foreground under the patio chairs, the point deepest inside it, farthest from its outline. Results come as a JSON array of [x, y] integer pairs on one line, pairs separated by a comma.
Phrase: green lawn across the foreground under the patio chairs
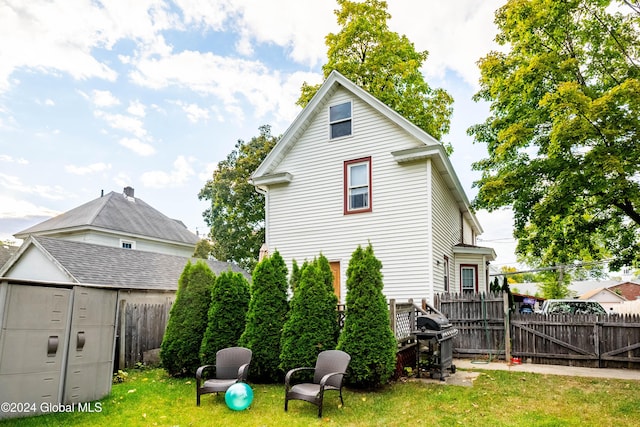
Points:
[[497, 398]]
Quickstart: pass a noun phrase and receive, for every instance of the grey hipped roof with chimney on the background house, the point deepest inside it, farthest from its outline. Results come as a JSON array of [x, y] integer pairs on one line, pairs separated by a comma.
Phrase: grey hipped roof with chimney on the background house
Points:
[[116, 212]]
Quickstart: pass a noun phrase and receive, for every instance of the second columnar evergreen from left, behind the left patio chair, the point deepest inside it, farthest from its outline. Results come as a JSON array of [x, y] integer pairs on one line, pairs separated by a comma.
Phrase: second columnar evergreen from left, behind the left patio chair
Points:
[[227, 315]]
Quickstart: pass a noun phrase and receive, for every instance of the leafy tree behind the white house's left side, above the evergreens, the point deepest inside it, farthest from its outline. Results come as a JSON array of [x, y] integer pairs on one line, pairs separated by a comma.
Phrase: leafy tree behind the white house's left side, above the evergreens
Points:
[[236, 215]]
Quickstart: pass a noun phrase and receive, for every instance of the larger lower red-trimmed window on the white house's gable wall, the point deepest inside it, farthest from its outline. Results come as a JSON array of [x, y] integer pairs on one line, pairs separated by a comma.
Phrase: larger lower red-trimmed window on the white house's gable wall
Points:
[[357, 185]]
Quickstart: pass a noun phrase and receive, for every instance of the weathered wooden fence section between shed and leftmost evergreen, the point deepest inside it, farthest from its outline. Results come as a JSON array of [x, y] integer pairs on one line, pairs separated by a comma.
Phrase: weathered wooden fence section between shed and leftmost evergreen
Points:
[[140, 329]]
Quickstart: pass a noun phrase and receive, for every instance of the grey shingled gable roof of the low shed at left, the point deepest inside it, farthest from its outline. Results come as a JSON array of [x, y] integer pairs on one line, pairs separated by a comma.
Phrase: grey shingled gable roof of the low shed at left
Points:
[[104, 266]]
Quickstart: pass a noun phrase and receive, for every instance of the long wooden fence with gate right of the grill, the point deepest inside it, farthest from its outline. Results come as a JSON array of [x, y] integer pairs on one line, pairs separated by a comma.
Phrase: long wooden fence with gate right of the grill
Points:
[[485, 331]]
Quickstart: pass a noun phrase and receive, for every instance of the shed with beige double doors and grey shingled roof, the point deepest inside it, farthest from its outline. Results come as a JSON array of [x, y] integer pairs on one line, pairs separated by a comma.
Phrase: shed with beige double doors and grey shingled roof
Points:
[[59, 308]]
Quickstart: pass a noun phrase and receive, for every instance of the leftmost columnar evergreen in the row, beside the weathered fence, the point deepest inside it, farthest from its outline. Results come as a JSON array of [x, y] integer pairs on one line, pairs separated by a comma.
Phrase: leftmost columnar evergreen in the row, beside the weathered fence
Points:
[[180, 346]]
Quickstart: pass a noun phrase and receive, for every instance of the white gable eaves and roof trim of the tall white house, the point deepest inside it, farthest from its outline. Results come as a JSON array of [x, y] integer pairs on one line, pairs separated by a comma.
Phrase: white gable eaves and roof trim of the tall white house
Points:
[[267, 173]]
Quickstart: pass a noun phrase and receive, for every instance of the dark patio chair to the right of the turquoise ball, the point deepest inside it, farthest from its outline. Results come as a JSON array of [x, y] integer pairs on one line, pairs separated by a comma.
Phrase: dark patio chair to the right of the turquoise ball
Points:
[[331, 367]]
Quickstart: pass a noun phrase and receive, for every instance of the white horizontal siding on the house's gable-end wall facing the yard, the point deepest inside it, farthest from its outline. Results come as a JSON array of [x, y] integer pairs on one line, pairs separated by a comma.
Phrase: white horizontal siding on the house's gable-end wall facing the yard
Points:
[[397, 226]]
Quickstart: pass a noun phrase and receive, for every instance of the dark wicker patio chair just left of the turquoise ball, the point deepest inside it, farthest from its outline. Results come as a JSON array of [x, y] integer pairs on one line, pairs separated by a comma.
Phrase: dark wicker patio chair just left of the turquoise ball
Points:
[[232, 366]]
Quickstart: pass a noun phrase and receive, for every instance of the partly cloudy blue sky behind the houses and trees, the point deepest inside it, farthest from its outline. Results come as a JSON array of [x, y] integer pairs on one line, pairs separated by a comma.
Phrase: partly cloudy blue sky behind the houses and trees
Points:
[[98, 95]]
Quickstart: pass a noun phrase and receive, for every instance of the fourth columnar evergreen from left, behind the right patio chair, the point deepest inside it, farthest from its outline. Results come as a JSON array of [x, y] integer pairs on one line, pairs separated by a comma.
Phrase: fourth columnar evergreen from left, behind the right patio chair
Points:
[[312, 325]]
